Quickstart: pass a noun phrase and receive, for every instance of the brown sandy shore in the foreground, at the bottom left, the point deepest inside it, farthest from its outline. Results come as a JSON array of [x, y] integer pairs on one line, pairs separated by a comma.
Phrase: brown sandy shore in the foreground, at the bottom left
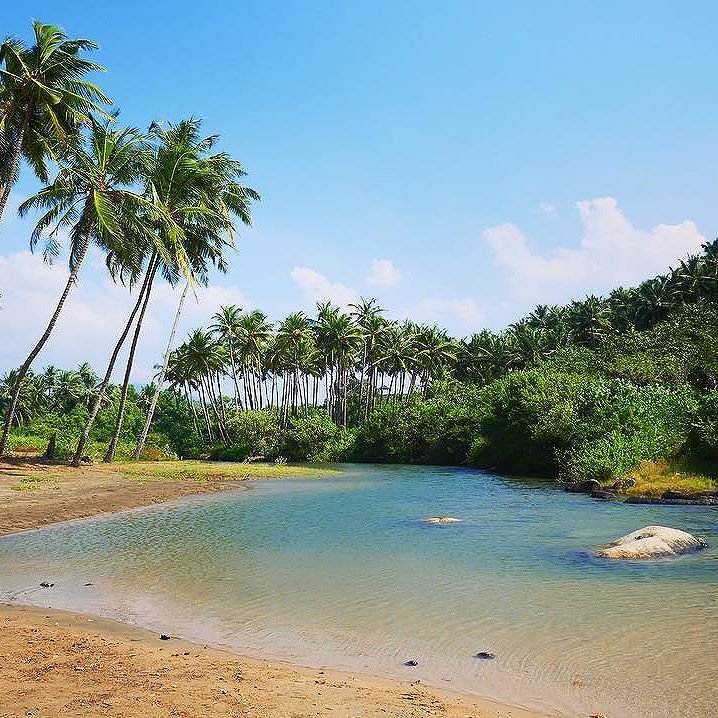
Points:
[[60, 663]]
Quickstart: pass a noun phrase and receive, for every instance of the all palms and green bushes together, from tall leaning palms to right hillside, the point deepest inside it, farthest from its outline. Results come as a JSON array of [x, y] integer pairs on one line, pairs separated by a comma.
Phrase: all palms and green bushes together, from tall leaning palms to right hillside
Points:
[[606, 387]]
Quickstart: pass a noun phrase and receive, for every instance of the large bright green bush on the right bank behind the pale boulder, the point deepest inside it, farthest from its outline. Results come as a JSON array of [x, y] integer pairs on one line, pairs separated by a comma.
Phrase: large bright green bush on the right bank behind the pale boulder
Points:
[[576, 427]]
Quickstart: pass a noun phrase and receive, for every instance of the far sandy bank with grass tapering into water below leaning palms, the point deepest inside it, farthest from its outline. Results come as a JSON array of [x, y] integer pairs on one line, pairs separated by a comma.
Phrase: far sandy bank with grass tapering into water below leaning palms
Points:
[[34, 493]]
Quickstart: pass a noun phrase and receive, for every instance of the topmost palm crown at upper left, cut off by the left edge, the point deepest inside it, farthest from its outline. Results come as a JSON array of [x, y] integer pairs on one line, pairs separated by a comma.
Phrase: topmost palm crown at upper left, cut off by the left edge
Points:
[[44, 99]]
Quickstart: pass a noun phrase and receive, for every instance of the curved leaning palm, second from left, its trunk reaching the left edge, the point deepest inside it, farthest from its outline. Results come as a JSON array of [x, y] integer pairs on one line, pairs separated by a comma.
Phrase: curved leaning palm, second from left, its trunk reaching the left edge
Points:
[[91, 197]]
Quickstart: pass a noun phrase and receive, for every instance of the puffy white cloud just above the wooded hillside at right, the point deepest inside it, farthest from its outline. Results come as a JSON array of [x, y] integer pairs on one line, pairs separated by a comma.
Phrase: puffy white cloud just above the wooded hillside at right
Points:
[[612, 252]]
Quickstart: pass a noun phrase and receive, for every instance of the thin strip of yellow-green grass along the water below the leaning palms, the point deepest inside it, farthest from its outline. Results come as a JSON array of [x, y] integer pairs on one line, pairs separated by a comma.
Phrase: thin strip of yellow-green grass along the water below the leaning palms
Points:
[[203, 471]]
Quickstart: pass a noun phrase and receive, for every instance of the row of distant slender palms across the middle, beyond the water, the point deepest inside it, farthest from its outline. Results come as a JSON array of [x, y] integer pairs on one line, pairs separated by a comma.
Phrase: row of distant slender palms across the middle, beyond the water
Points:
[[342, 362]]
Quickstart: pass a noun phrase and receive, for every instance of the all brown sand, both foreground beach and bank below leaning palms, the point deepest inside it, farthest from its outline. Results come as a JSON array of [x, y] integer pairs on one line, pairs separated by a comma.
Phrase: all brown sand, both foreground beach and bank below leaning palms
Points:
[[56, 663]]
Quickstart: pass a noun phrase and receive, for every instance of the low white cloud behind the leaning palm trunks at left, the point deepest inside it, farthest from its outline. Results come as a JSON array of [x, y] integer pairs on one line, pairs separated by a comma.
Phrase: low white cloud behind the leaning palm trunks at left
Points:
[[93, 316]]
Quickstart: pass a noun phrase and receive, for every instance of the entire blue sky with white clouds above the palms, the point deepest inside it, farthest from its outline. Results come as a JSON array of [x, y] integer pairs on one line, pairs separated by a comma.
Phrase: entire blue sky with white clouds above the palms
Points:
[[459, 161]]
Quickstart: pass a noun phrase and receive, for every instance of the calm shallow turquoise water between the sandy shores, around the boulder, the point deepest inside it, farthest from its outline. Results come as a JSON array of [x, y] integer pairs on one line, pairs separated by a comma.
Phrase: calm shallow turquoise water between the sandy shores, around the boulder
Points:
[[340, 572]]
